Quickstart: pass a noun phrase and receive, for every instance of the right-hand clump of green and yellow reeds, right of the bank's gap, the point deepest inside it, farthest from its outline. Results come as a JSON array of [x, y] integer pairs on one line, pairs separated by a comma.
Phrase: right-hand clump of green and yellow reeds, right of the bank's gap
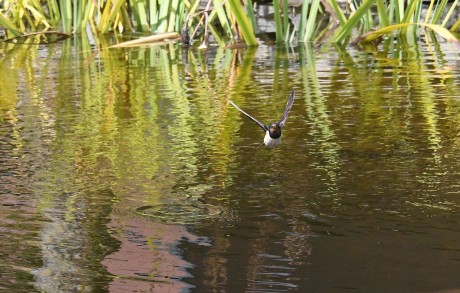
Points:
[[368, 16]]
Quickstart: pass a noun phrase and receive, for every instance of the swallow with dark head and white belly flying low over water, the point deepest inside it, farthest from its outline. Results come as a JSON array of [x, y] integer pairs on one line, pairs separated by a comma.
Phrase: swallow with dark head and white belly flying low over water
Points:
[[273, 131]]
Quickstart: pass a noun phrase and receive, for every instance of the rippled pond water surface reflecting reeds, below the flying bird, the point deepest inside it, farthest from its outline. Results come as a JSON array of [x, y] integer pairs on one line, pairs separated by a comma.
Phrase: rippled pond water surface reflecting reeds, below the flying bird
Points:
[[127, 170]]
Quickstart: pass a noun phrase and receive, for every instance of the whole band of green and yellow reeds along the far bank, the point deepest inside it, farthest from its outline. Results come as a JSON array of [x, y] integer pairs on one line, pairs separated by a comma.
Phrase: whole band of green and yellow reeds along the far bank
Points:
[[228, 20]]
